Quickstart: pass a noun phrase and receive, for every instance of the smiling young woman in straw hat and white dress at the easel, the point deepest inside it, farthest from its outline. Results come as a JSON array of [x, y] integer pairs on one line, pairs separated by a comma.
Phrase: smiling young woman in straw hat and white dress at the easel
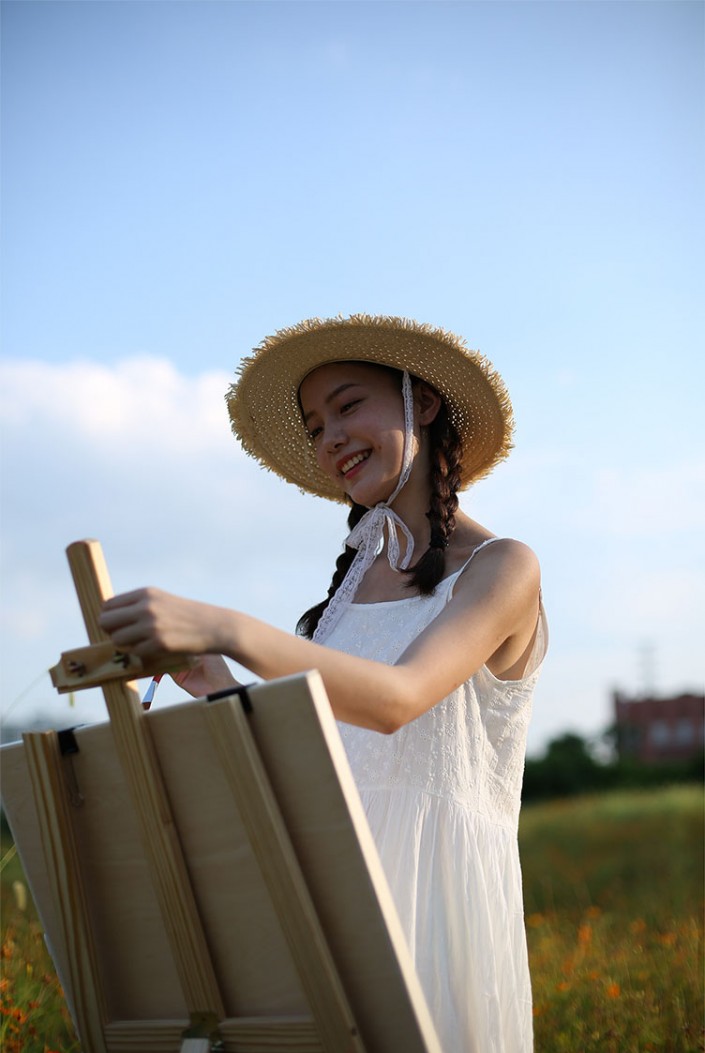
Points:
[[430, 642]]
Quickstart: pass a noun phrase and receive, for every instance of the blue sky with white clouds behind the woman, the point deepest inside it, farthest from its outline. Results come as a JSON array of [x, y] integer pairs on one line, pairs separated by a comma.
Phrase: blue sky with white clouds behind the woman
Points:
[[182, 178]]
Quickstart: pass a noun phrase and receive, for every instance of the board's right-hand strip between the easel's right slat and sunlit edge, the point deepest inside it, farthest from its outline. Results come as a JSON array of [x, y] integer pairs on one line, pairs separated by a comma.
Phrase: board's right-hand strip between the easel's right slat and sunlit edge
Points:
[[298, 740]]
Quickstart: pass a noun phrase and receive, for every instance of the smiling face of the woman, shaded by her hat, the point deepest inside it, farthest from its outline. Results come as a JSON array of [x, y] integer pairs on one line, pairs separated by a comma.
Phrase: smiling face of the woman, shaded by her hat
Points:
[[355, 416]]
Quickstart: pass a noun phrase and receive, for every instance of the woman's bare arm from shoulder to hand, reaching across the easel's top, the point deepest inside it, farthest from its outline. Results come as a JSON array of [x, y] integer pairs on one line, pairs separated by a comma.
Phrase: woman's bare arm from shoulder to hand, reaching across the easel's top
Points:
[[493, 612]]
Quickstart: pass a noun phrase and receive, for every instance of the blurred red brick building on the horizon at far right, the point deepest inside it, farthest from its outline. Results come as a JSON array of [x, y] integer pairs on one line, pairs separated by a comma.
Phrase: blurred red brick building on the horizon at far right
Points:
[[653, 730]]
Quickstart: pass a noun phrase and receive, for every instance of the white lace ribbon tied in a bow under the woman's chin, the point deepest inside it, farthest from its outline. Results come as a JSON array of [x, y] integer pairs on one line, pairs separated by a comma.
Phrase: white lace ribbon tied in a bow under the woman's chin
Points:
[[368, 535]]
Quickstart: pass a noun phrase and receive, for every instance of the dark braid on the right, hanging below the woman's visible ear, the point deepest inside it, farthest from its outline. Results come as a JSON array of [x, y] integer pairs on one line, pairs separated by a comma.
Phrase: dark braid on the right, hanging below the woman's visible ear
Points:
[[447, 454]]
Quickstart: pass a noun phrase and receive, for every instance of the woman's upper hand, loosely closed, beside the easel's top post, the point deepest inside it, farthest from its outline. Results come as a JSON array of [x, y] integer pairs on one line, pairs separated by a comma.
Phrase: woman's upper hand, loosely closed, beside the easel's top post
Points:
[[149, 623]]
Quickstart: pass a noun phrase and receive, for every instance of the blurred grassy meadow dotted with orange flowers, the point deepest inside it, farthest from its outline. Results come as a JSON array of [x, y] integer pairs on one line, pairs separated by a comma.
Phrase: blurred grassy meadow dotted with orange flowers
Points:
[[614, 897]]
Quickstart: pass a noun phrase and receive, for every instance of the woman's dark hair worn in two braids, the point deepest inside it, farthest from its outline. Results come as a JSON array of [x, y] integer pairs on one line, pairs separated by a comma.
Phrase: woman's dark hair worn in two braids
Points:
[[447, 454]]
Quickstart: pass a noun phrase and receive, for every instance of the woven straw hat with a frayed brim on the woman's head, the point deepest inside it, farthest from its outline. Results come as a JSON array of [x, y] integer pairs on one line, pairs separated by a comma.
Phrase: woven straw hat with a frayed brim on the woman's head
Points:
[[265, 407]]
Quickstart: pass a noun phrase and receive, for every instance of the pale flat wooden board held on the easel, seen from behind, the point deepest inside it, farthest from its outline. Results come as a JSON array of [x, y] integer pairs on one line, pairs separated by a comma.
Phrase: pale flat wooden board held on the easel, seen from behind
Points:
[[259, 976]]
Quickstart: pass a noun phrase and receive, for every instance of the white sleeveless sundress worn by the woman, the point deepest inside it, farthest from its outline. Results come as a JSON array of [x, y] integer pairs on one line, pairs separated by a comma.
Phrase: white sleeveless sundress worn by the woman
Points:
[[442, 799]]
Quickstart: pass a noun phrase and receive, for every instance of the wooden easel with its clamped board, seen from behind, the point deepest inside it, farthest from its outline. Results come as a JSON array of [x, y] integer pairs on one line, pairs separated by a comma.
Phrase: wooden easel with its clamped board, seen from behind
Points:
[[205, 872]]
